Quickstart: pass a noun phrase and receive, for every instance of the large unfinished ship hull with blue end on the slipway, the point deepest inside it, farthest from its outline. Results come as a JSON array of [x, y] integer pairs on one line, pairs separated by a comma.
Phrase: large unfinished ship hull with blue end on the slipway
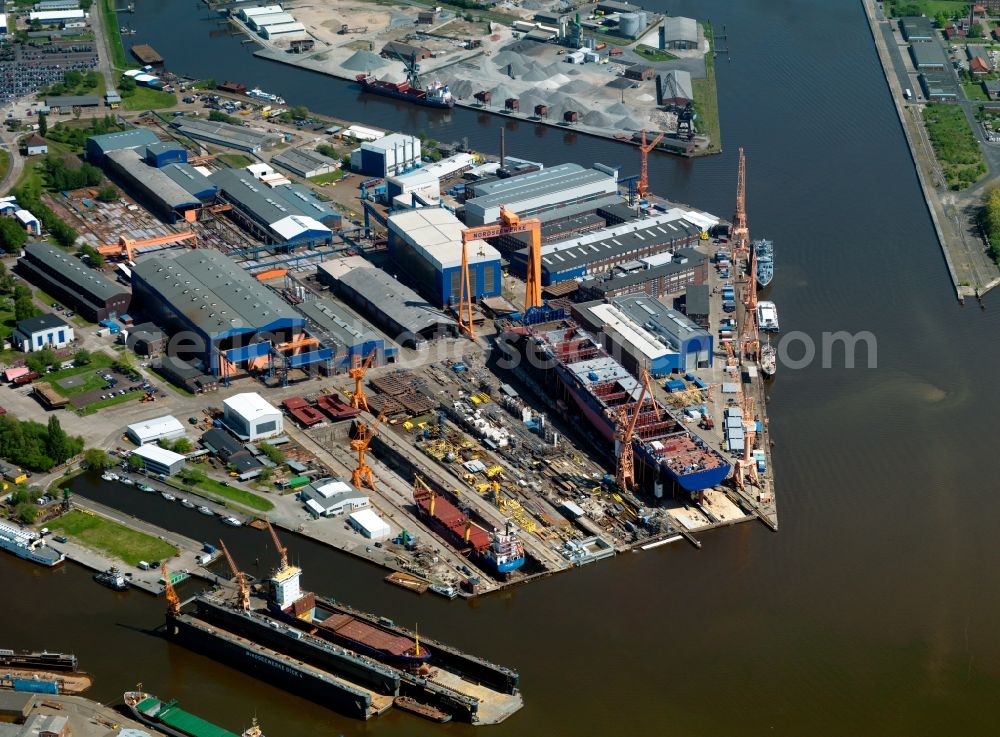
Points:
[[586, 381]]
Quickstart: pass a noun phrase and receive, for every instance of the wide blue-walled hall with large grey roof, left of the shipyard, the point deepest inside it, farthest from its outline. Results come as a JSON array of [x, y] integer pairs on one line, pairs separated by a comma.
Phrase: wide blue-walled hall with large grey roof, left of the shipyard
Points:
[[223, 310]]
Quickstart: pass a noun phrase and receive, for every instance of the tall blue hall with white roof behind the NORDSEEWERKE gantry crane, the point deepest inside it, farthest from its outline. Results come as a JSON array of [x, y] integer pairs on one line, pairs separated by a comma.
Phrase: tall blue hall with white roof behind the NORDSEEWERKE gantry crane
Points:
[[426, 246]]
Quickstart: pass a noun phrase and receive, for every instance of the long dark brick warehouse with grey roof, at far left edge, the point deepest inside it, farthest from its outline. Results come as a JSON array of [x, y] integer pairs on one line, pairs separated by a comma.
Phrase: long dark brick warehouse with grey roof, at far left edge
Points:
[[66, 278]]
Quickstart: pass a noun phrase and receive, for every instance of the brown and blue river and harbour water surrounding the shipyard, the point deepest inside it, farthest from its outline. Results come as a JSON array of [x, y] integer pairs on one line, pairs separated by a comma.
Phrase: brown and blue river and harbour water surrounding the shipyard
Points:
[[872, 611]]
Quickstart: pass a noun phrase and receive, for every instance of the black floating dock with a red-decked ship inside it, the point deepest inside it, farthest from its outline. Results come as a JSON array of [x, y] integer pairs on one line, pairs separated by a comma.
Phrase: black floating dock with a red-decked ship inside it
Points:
[[348, 660]]
